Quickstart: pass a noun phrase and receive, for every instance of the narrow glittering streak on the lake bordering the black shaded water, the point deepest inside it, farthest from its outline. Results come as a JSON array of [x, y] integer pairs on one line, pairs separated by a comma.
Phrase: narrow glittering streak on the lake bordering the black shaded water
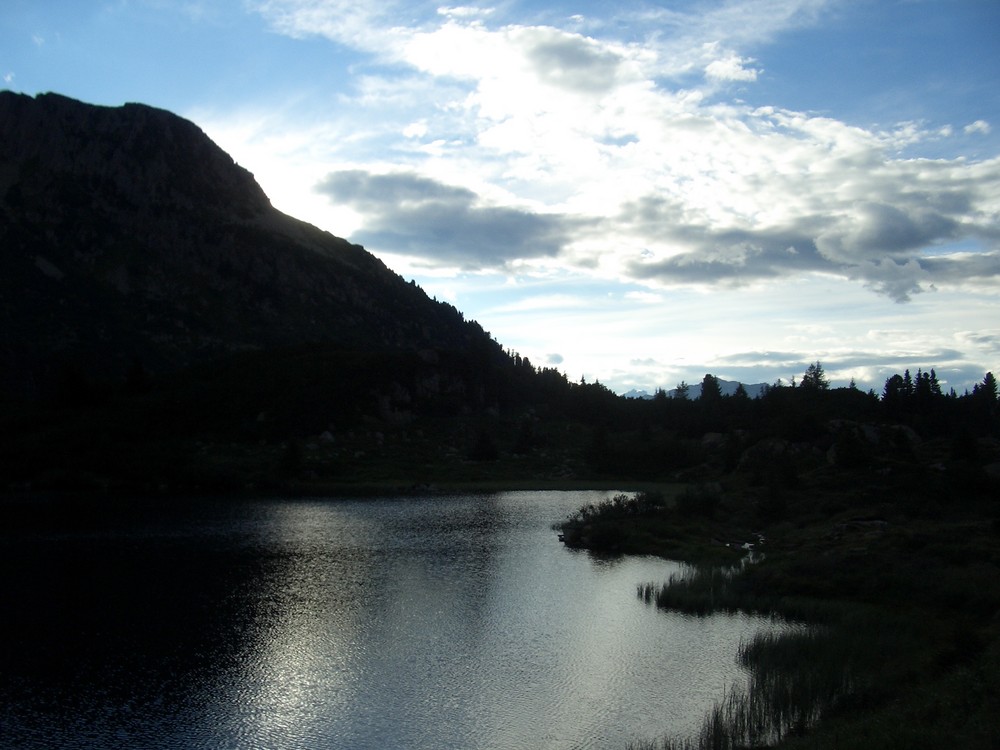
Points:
[[303, 651]]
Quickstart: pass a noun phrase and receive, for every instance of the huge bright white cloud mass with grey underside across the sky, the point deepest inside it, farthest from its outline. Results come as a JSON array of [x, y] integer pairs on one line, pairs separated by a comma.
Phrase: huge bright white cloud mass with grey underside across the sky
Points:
[[631, 167]]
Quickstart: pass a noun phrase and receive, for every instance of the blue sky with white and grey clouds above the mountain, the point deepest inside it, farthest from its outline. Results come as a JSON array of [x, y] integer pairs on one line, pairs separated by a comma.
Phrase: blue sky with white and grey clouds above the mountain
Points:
[[635, 193]]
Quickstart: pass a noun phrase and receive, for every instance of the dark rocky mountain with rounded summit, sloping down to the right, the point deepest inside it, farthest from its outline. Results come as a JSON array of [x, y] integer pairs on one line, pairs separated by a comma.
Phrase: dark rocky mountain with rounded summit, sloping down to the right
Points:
[[127, 236]]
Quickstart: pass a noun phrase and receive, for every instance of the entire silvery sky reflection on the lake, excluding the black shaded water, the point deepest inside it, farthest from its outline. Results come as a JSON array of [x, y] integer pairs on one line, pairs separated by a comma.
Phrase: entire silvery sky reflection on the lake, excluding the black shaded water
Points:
[[460, 623]]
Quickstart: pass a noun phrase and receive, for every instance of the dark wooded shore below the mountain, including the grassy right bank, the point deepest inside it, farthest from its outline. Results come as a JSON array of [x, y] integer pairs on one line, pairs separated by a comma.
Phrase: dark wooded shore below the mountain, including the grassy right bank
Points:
[[874, 518]]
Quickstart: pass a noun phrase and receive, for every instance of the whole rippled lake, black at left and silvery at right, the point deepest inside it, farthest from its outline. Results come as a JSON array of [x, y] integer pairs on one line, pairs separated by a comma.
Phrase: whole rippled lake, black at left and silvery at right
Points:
[[394, 623]]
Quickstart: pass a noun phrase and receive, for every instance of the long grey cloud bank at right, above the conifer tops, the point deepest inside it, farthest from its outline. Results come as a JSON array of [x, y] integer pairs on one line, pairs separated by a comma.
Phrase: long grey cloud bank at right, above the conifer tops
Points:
[[881, 246]]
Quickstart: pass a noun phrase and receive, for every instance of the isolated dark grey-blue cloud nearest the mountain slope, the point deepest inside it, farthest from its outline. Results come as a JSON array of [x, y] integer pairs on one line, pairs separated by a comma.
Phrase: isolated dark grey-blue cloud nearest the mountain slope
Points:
[[412, 215]]
